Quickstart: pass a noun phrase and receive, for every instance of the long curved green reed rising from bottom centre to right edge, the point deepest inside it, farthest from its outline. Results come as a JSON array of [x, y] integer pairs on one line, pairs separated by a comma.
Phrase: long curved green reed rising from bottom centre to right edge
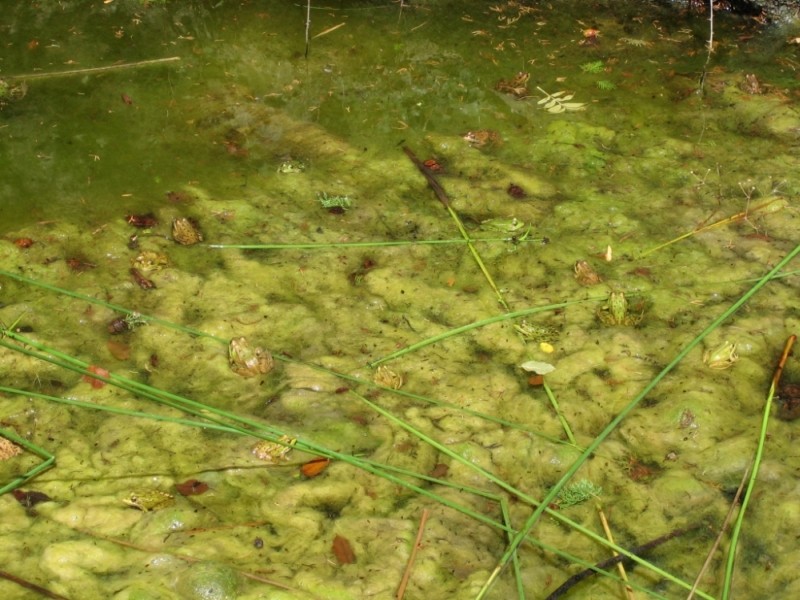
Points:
[[592, 447]]
